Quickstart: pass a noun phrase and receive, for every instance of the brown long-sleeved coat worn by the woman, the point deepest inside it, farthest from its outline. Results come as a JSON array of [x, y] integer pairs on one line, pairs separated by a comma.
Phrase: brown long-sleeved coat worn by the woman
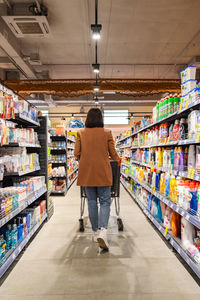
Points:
[[93, 147]]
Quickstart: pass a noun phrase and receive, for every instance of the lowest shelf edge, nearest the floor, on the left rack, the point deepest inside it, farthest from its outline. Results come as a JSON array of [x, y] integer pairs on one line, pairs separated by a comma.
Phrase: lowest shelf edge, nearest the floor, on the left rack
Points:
[[16, 252]]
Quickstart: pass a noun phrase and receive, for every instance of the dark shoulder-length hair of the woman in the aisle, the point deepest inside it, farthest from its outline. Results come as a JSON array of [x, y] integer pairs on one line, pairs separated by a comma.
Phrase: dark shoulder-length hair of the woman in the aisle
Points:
[[94, 118]]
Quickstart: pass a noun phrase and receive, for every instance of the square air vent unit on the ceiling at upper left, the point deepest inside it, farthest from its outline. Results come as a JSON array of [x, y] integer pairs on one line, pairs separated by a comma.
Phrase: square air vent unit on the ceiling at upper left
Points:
[[28, 26]]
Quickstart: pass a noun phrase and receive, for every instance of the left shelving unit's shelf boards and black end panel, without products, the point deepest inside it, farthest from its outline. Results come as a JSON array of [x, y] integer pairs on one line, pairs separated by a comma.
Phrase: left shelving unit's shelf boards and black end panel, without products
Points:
[[42, 194]]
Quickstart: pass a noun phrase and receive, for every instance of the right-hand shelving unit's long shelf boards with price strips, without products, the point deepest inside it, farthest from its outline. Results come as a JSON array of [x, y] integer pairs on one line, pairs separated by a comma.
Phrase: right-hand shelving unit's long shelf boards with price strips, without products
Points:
[[190, 173]]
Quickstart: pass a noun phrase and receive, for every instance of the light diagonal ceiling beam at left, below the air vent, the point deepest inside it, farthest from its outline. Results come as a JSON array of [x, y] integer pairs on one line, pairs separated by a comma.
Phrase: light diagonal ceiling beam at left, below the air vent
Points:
[[11, 46]]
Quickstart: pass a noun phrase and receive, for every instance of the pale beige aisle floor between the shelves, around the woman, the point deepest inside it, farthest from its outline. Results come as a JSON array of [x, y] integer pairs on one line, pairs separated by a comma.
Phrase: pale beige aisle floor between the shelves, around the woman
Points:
[[63, 264]]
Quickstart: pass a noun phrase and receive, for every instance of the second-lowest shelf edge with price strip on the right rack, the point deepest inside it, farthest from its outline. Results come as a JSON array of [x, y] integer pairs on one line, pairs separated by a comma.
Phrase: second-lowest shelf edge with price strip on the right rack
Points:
[[191, 218]]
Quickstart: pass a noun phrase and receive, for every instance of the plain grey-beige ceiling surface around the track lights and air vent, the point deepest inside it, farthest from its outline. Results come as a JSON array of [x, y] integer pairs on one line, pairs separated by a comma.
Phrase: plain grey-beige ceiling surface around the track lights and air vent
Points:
[[141, 39]]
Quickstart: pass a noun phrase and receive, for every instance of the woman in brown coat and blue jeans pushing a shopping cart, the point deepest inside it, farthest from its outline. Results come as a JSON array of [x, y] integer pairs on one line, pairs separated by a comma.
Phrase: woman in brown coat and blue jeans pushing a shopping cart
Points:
[[93, 146]]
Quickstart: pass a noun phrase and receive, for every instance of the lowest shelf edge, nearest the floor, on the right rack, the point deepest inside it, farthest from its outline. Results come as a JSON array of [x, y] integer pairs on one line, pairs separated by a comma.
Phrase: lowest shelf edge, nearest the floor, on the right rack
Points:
[[175, 242]]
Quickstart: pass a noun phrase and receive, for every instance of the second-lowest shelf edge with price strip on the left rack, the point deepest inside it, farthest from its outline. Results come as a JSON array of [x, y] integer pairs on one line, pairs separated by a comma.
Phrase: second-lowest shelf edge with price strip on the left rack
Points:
[[27, 201]]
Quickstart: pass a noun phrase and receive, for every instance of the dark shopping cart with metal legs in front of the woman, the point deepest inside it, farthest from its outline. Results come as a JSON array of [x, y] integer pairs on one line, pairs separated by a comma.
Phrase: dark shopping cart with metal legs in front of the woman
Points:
[[115, 191]]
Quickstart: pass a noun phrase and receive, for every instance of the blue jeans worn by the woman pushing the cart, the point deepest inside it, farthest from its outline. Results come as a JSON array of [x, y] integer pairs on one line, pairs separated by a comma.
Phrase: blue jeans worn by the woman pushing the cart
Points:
[[104, 195]]
